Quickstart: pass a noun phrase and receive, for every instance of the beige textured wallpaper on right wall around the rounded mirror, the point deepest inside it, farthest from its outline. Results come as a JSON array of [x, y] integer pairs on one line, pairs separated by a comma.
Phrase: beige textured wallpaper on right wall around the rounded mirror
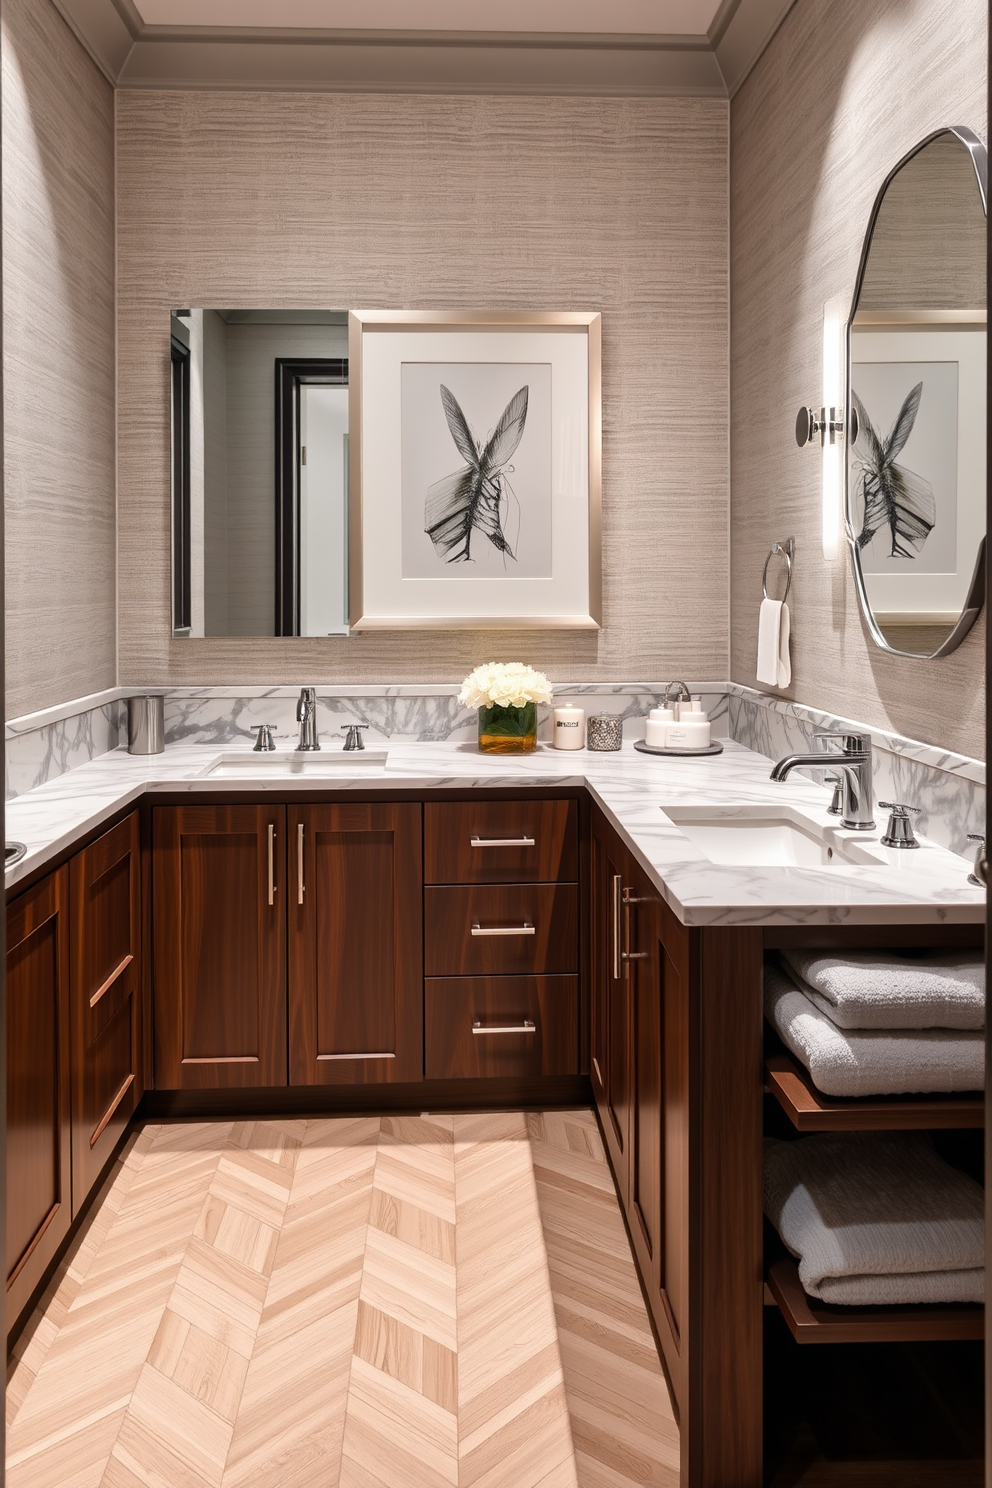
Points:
[[841, 94]]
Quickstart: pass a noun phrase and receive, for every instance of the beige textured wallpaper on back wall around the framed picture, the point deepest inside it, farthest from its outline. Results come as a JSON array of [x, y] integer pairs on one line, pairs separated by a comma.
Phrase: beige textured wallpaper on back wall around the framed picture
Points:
[[621, 206]]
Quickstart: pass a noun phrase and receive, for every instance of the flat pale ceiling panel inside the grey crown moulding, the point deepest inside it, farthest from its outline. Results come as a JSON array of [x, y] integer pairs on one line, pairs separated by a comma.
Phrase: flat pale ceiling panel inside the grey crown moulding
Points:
[[628, 17]]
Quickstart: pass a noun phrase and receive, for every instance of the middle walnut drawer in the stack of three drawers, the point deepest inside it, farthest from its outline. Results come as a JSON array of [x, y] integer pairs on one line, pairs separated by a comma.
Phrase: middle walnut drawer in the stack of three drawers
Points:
[[502, 931]]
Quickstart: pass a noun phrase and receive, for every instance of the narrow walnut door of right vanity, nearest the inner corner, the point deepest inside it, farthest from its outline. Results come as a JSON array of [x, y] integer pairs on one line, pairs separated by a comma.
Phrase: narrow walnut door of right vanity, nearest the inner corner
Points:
[[611, 1044]]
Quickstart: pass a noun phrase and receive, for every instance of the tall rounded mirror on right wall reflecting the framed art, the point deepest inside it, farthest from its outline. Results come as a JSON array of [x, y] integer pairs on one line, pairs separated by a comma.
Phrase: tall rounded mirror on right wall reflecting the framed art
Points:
[[917, 401]]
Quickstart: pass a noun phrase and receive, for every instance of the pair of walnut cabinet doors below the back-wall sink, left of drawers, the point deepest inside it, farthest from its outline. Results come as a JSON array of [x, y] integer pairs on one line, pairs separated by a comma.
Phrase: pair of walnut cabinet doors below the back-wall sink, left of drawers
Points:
[[288, 946]]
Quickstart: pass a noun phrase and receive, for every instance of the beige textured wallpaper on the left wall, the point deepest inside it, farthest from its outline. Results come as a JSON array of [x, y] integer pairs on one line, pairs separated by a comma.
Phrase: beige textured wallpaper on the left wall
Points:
[[59, 364]]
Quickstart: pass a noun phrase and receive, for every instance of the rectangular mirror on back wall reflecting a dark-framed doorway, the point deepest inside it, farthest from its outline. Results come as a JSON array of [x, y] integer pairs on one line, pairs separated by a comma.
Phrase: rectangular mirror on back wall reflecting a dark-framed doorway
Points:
[[260, 472]]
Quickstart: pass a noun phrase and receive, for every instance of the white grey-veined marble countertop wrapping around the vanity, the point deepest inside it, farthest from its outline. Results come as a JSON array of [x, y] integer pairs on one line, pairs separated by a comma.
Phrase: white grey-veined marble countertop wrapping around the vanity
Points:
[[631, 789]]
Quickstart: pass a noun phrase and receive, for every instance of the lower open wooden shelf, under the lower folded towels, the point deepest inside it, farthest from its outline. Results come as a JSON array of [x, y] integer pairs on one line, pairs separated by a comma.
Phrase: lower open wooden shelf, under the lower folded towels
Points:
[[814, 1322]]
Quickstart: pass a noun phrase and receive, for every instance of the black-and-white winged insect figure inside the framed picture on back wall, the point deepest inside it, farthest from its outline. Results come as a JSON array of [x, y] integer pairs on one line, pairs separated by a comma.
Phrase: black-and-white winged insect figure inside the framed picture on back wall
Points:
[[477, 499]]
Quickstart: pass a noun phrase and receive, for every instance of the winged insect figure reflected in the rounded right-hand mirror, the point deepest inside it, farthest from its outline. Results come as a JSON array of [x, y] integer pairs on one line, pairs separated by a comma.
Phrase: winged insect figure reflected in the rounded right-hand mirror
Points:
[[895, 498]]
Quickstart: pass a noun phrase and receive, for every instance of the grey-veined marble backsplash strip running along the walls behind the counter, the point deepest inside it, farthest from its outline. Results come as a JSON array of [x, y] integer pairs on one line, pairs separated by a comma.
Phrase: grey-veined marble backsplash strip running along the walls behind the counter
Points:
[[950, 789]]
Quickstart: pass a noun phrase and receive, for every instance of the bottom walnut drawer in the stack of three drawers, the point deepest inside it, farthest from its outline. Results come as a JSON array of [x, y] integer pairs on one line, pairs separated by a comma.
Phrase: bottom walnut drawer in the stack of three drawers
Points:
[[511, 1026]]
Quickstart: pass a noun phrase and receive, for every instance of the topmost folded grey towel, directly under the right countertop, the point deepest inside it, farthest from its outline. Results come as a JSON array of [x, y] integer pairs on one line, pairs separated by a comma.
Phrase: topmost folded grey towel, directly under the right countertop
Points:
[[874, 990]]
